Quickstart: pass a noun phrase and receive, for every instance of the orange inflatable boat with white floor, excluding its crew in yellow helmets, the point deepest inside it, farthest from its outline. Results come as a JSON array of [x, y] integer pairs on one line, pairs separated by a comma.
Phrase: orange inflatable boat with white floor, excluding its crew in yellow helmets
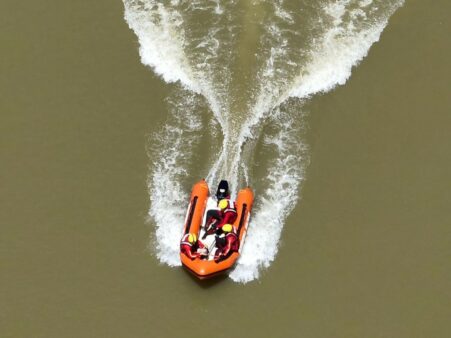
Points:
[[195, 223]]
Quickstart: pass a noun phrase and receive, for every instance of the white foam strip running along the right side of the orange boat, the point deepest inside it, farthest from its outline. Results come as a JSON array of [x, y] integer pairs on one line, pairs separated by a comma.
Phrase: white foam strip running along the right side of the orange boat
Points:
[[279, 198]]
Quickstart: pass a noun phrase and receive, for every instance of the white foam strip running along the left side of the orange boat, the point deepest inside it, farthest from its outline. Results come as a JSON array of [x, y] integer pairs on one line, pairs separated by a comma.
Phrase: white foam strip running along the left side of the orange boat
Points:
[[171, 152]]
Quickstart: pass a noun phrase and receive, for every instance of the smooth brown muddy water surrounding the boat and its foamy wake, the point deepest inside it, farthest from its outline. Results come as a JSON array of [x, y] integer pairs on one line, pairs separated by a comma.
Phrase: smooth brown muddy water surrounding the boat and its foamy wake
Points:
[[365, 252]]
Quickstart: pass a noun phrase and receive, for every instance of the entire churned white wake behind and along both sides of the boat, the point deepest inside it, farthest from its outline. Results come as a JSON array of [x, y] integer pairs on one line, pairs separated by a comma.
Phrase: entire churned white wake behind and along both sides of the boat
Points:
[[298, 57]]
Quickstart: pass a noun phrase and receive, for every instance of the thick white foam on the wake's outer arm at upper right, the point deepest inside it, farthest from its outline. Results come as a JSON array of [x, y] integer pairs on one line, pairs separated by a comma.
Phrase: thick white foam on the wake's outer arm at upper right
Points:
[[340, 49]]
